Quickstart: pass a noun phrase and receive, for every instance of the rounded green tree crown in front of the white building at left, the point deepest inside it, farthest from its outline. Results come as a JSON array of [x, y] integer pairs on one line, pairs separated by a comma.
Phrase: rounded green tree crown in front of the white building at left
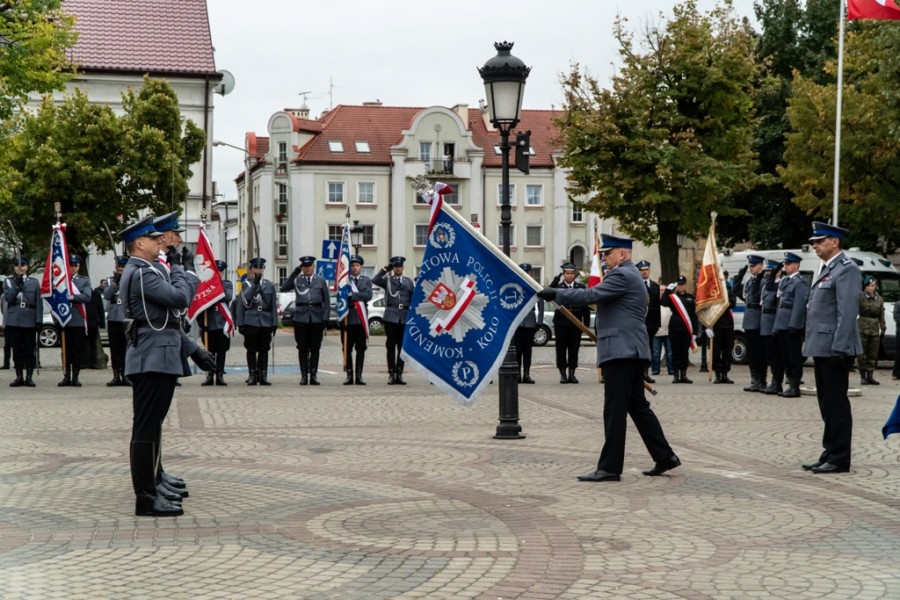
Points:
[[103, 169]]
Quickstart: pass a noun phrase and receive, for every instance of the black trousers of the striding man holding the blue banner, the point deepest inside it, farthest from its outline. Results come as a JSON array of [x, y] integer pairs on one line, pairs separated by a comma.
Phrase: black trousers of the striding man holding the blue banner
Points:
[[623, 388]]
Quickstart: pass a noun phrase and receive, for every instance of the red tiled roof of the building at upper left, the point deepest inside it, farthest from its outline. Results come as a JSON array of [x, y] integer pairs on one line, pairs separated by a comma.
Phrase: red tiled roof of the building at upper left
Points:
[[143, 36]]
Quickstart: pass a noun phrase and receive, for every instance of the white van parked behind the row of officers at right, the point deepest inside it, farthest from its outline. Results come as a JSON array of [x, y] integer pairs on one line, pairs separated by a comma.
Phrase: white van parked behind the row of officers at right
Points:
[[869, 263]]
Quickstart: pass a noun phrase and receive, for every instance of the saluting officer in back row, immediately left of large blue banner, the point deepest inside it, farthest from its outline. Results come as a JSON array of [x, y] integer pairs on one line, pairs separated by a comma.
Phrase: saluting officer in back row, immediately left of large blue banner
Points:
[[398, 291]]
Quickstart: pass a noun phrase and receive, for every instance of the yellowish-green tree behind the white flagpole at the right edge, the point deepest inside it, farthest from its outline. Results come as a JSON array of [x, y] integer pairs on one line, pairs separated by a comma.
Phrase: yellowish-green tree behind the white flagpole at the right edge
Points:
[[870, 139]]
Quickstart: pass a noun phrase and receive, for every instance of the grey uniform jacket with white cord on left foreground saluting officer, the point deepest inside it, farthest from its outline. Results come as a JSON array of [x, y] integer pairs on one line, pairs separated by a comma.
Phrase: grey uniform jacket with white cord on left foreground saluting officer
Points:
[[155, 302]]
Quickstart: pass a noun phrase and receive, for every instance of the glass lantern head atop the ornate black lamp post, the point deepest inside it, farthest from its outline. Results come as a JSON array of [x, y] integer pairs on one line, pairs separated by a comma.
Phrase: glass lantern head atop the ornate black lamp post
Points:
[[504, 78]]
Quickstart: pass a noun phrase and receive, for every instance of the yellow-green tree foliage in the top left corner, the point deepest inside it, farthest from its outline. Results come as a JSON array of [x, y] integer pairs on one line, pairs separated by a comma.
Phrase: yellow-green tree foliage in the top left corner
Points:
[[34, 37]]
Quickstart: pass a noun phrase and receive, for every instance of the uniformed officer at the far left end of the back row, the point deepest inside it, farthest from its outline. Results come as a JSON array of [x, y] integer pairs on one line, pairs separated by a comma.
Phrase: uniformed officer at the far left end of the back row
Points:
[[24, 314]]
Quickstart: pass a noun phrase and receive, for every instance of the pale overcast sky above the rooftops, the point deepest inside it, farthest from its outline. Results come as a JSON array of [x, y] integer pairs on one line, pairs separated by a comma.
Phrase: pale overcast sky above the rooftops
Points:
[[402, 52]]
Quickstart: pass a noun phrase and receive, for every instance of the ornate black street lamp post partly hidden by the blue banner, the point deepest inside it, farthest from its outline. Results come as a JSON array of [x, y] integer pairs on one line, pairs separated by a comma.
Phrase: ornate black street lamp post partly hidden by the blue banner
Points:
[[504, 78]]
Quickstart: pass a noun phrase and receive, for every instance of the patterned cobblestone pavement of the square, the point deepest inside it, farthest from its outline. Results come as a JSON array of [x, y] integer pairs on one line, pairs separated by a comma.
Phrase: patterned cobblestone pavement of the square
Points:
[[398, 492]]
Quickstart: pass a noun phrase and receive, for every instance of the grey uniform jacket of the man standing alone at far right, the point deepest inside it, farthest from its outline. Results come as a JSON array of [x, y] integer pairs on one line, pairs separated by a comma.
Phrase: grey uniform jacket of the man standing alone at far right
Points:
[[831, 328]]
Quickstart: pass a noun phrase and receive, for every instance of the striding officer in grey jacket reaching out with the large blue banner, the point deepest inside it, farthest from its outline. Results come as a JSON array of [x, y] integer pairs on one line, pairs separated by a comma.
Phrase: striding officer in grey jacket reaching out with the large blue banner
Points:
[[623, 353]]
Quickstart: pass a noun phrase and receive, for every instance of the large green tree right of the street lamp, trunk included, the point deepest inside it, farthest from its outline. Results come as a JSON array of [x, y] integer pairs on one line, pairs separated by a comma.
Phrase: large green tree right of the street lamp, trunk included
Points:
[[671, 140]]
